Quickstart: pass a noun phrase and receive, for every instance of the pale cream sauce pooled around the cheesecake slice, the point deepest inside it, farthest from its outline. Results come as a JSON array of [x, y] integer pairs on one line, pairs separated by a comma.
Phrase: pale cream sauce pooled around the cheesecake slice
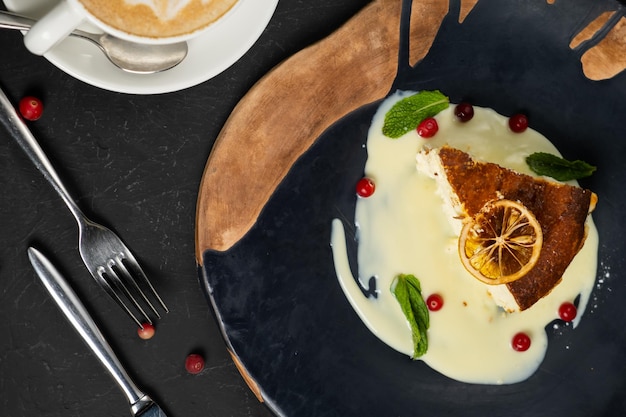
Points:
[[402, 229]]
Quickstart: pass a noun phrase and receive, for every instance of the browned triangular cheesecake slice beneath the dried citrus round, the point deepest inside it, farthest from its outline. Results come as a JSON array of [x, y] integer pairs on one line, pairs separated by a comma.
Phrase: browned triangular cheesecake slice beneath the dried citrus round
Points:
[[466, 185]]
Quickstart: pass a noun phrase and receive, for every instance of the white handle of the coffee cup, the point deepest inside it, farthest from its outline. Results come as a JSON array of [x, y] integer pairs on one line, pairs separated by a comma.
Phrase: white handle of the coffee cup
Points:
[[55, 26]]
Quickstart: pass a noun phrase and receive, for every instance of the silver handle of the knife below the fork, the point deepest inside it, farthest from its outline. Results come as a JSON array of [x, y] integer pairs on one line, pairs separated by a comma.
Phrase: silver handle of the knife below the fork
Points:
[[77, 314]]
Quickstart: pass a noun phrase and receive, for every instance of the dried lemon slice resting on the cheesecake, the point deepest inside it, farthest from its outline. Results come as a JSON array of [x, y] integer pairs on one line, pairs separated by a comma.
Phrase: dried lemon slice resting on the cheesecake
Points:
[[501, 243]]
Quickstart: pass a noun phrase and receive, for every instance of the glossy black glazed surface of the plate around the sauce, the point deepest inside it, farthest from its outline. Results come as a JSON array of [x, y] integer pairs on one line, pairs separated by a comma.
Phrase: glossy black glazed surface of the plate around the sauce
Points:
[[275, 292]]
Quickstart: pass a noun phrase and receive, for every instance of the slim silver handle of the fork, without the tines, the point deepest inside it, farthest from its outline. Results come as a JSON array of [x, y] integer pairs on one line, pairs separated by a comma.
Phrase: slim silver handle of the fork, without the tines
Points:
[[23, 136]]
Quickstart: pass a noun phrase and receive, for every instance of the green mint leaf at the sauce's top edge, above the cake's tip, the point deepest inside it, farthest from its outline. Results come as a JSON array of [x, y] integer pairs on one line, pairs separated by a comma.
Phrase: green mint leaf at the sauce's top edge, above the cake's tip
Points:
[[407, 113]]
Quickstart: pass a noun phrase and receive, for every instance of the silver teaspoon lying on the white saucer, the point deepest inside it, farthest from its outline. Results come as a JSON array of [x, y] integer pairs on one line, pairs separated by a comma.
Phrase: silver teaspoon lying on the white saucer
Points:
[[128, 56]]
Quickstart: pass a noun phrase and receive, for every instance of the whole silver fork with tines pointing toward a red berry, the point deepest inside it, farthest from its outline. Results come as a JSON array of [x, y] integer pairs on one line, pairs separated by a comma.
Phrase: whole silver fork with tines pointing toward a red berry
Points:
[[108, 259]]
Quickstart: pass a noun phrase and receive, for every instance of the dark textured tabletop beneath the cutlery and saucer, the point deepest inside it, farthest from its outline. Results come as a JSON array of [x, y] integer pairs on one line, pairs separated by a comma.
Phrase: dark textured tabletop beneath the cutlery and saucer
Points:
[[133, 162]]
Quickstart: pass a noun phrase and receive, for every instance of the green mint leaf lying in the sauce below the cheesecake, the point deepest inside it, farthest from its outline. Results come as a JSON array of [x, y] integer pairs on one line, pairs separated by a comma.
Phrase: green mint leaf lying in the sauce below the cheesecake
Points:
[[408, 292]]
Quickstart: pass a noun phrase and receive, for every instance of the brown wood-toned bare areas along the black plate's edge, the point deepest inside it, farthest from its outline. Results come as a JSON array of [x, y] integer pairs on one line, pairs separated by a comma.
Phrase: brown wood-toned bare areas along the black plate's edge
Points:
[[294, 103]]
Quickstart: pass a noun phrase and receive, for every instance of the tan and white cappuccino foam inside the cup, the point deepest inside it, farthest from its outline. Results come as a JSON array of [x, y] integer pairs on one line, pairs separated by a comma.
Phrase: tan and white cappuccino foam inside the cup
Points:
[[158, 18]]
